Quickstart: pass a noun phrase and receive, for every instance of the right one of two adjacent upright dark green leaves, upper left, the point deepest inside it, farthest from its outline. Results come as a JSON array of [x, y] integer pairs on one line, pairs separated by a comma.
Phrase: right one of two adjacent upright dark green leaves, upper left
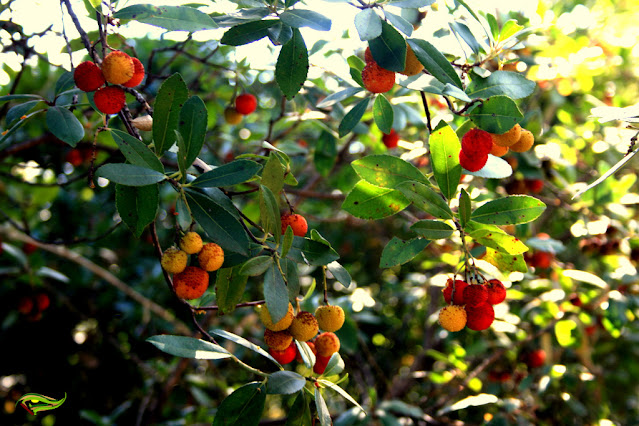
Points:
[[192, 127]]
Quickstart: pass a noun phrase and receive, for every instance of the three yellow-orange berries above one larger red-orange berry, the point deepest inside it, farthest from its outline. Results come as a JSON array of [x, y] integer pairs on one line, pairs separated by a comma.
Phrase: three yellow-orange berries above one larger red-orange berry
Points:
[[190, 282]]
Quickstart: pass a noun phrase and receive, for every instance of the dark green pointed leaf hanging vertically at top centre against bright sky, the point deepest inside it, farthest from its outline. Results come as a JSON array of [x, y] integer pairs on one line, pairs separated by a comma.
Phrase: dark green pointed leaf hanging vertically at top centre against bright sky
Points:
[[292, 65]]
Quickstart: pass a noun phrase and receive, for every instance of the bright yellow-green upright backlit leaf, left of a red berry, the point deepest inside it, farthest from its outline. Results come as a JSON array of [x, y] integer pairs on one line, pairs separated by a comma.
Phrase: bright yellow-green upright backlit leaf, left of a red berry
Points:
[[444, 153]]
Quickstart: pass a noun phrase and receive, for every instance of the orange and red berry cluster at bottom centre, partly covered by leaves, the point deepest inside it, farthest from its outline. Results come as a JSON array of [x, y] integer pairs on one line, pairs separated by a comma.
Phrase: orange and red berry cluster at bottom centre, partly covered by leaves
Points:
[[303, 327]]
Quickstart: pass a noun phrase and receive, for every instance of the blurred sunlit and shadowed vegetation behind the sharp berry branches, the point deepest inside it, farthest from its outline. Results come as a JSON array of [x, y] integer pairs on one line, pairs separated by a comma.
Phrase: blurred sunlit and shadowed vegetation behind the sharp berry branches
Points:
[[580, 308]]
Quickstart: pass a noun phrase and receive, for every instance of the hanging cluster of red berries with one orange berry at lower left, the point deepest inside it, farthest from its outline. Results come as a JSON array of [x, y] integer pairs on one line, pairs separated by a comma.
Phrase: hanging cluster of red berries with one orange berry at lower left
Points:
[[470, 305]]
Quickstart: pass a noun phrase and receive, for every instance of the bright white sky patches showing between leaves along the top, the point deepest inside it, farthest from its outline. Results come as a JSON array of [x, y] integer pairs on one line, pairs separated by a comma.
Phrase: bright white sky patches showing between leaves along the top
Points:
[[52, 45]]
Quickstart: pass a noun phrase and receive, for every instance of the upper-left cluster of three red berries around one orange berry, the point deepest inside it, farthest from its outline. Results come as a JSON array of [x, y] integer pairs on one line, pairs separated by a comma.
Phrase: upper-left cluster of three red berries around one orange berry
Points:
[[117, 68]]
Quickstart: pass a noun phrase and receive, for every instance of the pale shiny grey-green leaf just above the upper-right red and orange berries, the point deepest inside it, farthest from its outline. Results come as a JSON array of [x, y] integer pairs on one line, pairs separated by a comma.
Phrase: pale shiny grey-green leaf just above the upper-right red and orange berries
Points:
[[511, 84]]
